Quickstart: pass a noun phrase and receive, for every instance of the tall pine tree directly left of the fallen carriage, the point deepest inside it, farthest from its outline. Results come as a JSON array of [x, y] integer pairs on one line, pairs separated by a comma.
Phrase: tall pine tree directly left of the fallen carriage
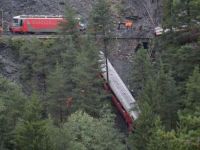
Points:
[[88, 92]]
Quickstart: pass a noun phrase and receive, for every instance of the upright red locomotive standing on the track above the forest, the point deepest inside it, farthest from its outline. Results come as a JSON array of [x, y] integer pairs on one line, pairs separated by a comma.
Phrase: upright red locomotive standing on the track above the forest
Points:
[[37, 24]]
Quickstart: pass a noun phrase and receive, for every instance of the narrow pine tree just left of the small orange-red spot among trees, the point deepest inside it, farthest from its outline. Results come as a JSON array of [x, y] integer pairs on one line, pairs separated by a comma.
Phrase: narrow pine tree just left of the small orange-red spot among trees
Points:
[[57, 94]]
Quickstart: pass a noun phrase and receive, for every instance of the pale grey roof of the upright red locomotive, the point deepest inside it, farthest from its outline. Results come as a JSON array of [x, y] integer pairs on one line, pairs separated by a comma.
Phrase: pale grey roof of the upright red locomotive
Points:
[[37, 16]]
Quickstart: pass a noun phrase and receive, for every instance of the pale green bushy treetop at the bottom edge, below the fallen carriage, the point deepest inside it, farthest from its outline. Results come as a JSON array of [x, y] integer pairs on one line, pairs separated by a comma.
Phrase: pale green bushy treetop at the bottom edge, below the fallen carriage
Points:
[[87, 133]]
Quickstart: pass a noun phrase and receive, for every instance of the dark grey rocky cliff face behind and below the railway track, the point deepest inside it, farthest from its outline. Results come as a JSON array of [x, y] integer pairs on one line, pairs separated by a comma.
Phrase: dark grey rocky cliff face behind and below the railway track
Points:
[[149, 12]]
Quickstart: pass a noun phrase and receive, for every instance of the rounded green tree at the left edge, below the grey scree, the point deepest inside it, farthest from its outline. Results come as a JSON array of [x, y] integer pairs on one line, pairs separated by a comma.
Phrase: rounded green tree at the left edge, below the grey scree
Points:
[[12, 102]]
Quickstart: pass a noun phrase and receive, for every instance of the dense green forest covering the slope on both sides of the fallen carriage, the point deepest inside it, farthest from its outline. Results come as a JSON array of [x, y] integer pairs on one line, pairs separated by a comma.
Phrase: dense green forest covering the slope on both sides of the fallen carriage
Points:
[[59, 102]]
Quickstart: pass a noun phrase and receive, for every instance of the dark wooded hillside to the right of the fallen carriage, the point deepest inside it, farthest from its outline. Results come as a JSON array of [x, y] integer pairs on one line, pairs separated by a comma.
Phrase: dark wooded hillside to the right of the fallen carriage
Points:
[[166, 81]]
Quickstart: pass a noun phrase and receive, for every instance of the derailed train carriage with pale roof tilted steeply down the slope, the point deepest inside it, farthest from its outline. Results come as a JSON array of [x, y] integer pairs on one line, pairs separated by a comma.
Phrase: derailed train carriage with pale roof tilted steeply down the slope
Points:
[[121, 96]]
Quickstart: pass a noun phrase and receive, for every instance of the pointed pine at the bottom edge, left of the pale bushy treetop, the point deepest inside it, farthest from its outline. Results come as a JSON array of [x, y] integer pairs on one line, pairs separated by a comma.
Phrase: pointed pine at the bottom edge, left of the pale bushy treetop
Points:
[[31, 132]]
